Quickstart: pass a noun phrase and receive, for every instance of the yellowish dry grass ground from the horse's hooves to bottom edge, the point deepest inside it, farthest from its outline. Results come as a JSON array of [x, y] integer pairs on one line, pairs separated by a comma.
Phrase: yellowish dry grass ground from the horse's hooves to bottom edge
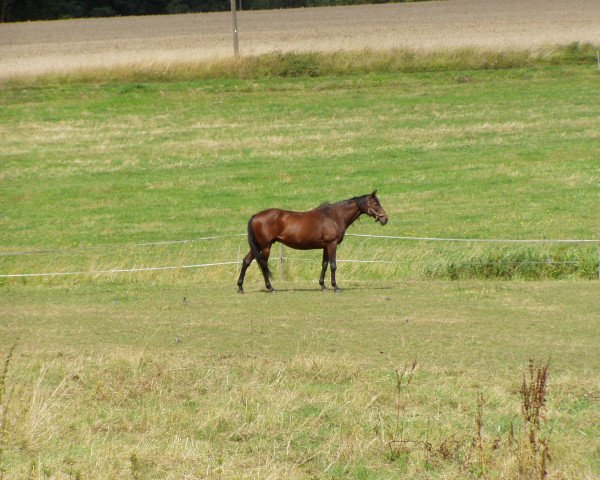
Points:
[[132, 382]]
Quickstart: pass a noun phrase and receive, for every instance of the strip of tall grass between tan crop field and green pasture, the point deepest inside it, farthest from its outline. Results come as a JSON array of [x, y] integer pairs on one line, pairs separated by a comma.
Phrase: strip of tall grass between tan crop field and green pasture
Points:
[[315, 64]]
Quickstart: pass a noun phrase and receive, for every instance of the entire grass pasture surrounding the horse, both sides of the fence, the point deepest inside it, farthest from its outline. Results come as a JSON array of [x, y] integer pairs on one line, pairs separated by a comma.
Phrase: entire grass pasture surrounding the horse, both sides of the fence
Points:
[[405, 374]]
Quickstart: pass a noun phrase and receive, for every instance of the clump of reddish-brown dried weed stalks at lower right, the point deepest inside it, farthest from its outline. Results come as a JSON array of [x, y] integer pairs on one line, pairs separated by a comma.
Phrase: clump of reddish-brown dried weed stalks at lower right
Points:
[[523, 450]]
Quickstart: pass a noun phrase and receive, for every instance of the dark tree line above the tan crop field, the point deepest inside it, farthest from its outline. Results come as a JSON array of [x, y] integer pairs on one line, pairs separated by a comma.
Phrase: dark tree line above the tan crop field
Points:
[[23, 10]]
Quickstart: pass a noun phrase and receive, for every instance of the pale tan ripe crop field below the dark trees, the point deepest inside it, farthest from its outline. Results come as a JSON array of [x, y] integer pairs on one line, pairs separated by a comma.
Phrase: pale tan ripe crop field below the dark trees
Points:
[[68, 45]]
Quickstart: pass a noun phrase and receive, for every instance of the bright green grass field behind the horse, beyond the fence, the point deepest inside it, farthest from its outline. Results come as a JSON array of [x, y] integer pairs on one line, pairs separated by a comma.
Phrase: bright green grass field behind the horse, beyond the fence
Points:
[[476, 154]]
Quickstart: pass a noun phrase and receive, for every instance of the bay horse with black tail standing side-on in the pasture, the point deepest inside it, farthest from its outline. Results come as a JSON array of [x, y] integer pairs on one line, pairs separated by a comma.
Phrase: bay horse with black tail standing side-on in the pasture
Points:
[[322, 227]]
